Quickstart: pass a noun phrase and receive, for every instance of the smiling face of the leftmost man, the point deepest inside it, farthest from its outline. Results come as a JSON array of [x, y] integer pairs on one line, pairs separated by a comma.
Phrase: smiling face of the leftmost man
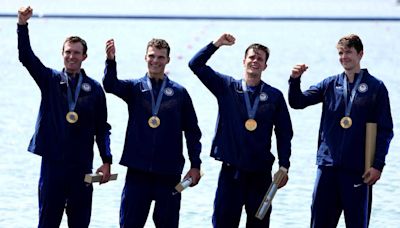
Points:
[[73, 56]]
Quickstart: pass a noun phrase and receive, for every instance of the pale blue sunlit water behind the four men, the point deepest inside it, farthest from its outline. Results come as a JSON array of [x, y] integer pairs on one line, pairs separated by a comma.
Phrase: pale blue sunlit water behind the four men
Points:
[[290, 42]]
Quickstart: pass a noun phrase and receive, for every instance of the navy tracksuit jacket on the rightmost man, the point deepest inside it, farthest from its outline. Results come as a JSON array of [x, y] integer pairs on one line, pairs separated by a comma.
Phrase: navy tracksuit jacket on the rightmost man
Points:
[[346, 147]]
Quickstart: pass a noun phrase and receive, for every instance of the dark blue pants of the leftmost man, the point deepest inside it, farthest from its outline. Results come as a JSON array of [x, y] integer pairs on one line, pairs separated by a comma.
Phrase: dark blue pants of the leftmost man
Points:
[[62, 186]]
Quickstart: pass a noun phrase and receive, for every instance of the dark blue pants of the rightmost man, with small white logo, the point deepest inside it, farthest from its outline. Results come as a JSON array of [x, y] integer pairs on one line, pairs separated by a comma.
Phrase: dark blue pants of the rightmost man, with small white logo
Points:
[[337, 190]]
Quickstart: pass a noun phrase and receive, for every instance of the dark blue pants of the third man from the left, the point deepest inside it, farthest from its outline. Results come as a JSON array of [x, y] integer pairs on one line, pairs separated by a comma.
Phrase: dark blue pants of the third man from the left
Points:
[[235, 190]]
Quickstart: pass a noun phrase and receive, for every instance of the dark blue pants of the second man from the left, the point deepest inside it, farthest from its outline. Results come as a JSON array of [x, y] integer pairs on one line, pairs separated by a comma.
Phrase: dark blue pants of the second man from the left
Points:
[[140, 190]]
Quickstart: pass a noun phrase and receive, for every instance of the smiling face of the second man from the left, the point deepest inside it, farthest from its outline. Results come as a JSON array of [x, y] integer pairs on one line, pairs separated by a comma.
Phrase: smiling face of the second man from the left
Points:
[[156, 60]]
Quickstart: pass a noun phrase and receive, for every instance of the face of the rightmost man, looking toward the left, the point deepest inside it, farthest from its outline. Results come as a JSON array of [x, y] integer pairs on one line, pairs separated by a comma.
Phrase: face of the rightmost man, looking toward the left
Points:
[[349, 58]]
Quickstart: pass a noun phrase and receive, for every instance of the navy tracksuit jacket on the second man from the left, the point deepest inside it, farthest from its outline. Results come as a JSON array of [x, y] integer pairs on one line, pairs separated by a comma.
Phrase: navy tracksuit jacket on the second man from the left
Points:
[[156, 150]]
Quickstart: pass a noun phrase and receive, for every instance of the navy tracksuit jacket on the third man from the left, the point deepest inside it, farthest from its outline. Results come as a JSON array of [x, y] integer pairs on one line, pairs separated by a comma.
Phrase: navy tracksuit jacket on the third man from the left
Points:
[[233, 144]]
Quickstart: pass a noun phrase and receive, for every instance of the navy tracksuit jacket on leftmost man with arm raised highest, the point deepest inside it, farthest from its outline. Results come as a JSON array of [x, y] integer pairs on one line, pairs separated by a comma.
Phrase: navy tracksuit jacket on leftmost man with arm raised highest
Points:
[[54, 137]]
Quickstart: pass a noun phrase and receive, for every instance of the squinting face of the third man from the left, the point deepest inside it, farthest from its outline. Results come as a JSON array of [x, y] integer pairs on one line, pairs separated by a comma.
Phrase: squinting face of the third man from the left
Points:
[[255, 62]]
